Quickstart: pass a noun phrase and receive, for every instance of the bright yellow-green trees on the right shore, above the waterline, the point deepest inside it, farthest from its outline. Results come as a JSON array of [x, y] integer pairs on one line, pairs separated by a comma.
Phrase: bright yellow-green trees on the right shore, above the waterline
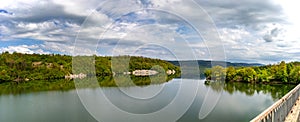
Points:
[[276, 73]]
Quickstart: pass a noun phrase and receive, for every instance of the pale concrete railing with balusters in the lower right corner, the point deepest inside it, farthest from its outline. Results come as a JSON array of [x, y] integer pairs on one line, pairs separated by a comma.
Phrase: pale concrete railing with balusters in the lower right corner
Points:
[[280, 109]]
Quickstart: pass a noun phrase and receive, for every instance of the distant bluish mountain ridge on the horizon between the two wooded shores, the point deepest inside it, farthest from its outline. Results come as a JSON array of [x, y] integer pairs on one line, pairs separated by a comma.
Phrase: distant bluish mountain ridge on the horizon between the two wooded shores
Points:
[[203, 63]]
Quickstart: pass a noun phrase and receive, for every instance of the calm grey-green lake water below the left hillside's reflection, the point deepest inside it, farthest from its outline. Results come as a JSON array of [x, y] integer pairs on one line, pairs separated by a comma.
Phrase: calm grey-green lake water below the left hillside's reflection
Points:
[[238, 102]]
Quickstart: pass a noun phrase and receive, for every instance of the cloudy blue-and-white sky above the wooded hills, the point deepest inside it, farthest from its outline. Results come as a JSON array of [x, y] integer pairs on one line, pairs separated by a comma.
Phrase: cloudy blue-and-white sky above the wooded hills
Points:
[[245, 30]]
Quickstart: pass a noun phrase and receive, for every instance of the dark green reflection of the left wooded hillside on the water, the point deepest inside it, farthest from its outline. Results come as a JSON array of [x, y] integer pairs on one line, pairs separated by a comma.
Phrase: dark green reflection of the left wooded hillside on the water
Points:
[[65, 85]]
